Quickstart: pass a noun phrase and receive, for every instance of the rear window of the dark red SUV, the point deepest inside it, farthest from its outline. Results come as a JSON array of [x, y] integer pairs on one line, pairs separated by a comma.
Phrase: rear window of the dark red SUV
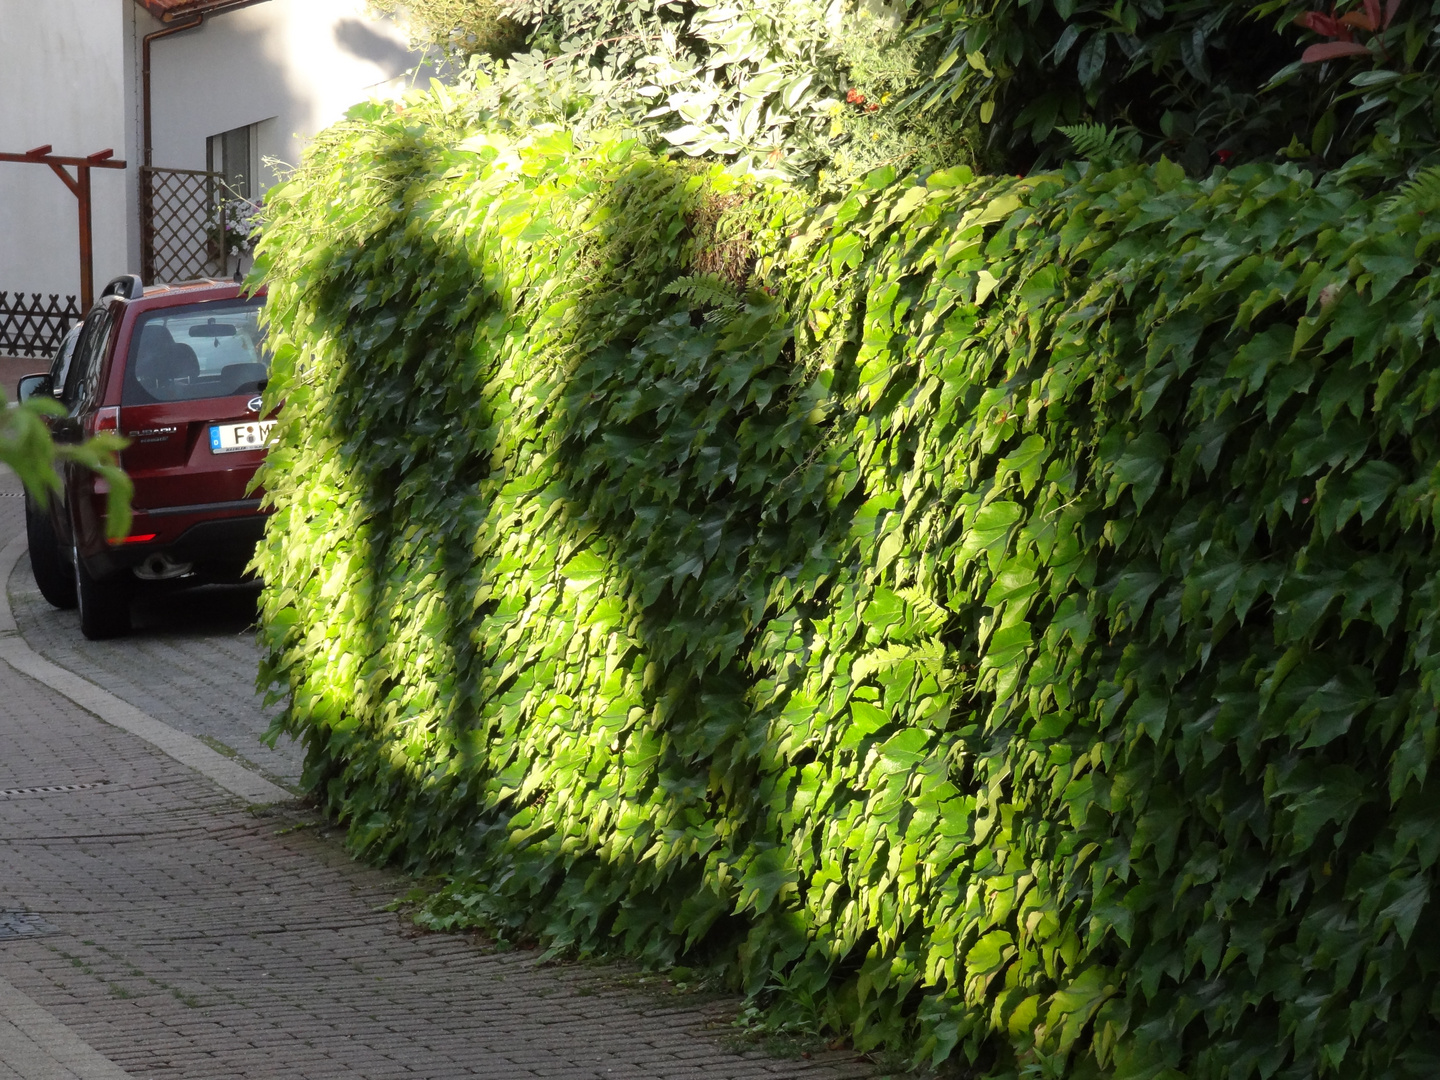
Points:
[[197, 352]]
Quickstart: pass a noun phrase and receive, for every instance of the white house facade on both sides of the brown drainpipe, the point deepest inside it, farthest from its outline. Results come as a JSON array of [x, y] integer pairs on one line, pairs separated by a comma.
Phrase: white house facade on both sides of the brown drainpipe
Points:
[[71, 77]]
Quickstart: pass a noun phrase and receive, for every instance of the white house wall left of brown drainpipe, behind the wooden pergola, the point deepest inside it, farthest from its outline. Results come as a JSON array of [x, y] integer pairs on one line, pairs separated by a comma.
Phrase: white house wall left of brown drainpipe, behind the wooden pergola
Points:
[[63, 81]]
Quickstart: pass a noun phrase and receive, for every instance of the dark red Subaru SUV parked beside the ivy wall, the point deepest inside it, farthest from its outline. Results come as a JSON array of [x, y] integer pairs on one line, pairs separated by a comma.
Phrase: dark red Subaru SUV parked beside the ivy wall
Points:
[[179, 372]]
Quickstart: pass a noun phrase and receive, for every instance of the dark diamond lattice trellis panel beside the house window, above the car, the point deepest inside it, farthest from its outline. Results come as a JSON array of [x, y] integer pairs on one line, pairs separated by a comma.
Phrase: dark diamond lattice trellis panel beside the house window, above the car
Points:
[[182, 227]]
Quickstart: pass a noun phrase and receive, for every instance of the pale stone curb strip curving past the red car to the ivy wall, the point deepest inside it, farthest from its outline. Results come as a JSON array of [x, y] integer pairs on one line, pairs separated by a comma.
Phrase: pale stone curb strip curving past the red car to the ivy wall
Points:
[[113, 711]]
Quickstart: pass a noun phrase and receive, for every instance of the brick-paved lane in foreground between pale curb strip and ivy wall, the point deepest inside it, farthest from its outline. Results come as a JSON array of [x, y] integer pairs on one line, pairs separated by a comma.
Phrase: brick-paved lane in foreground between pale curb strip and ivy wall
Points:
[[182, 935]]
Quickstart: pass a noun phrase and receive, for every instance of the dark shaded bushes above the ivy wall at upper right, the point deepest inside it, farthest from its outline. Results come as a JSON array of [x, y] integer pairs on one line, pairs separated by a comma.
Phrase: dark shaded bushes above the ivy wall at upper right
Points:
[[1200, 81]]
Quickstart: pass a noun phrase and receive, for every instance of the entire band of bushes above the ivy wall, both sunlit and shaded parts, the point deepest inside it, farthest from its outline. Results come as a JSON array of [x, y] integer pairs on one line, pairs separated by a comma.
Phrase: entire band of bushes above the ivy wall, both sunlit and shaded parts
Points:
[[824, 94]]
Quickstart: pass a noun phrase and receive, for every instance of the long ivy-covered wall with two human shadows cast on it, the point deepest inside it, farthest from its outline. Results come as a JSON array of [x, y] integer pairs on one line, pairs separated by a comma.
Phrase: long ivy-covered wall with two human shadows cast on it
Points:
[[991, 617]]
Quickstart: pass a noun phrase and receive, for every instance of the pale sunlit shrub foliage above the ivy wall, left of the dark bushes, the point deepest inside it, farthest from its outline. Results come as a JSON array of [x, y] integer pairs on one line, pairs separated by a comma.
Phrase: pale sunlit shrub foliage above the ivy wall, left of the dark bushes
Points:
[[804, 90]]
